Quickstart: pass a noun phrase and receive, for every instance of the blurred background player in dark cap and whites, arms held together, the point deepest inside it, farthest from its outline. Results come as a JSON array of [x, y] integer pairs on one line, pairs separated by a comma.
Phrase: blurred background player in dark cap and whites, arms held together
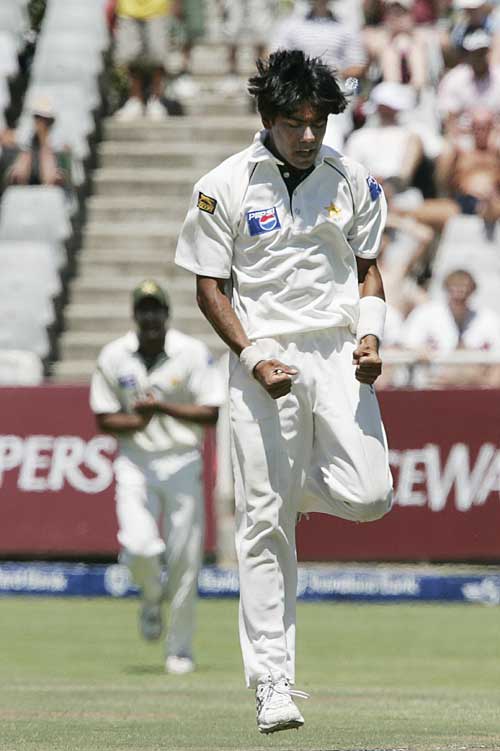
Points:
[[155, 390]]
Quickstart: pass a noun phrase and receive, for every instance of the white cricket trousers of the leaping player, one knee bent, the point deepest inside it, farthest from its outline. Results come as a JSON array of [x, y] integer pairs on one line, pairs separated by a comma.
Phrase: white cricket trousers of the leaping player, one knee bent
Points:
[[320, 448]]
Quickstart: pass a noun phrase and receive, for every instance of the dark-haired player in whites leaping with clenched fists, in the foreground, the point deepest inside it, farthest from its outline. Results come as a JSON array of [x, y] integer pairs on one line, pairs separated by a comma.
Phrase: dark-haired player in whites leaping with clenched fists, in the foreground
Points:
[[280, 236]]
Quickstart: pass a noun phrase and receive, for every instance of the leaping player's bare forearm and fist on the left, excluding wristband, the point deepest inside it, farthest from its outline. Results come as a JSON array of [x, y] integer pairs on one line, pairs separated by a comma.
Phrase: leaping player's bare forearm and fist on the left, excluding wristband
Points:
[[273, 375]]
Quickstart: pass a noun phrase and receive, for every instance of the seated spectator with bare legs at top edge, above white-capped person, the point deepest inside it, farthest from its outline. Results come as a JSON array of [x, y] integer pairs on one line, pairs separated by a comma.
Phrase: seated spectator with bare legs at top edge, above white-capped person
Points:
[[396, 48]]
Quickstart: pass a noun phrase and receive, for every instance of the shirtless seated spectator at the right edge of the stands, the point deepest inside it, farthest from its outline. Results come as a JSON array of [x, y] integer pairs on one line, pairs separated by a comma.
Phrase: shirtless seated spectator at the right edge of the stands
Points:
[[468, 176]]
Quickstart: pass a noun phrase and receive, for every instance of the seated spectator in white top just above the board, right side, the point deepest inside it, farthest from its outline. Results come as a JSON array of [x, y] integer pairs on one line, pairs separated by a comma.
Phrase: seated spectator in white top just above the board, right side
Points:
[[442, 327]]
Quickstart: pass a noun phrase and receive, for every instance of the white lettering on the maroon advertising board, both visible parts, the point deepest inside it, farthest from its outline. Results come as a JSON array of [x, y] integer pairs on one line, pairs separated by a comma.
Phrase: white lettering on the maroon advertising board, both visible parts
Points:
[[422, 477]]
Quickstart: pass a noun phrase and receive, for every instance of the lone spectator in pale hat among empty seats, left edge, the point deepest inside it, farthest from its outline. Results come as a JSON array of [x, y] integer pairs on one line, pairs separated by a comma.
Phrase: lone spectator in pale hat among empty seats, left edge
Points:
[[39, 161]]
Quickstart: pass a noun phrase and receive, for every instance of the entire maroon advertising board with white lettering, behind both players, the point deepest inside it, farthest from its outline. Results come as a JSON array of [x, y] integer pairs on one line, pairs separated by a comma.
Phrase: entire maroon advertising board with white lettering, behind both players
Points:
[[56, 481]]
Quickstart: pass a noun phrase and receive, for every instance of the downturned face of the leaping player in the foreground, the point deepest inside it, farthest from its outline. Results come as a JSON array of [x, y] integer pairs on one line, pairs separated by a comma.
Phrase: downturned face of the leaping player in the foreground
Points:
[[298, 137]]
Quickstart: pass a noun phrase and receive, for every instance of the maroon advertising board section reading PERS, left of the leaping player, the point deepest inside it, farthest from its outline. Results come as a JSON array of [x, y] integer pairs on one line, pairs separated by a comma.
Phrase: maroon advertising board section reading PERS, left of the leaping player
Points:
[[56, 476]]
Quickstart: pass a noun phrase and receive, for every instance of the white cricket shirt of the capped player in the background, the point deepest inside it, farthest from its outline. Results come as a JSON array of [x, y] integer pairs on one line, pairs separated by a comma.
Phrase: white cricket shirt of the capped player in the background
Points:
[[186, 375]]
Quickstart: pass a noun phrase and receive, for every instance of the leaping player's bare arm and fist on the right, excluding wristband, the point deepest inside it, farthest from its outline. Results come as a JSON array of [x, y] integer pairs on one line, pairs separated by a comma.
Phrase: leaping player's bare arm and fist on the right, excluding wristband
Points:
[[366, 355]]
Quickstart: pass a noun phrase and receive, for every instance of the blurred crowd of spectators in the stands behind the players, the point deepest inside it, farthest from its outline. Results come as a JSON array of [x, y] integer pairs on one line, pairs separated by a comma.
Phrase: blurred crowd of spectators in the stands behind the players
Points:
[[423, 79]]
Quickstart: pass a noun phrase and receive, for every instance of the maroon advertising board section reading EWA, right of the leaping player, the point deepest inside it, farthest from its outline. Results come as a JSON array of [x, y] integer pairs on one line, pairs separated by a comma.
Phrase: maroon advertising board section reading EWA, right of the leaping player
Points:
[[445, 460]]
